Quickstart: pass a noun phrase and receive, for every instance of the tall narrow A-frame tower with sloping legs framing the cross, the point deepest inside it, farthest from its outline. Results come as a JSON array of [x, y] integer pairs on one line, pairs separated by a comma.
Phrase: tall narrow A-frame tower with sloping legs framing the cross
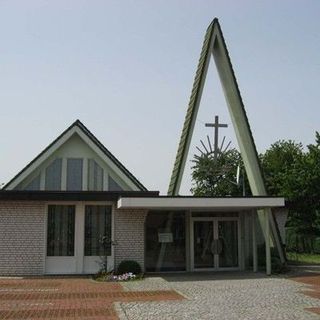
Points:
[[214, 44]]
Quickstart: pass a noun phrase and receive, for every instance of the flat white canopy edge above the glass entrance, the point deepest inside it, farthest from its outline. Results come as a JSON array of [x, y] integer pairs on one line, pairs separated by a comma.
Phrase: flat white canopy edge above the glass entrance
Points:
[[200, 203]]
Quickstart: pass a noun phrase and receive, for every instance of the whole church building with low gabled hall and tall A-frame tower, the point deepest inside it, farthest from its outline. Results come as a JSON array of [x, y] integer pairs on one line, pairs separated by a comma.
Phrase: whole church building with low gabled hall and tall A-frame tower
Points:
[[75, 203]]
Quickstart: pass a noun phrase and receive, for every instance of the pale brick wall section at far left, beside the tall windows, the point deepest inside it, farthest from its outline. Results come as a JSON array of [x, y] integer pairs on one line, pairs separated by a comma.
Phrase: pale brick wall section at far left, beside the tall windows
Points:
[[22, 238]]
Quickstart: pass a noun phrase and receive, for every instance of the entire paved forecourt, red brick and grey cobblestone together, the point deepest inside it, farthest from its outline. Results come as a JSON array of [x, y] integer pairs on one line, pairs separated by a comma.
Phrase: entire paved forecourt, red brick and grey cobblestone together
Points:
[[226, 296]]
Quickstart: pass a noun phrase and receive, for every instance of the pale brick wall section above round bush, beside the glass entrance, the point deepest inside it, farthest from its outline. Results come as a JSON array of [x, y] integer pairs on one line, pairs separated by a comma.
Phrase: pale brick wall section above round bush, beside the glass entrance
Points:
[[129, 235]]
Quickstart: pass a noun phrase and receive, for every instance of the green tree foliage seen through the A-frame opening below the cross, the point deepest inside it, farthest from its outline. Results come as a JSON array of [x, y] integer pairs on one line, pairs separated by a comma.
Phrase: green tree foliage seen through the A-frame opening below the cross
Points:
[[217, 176]]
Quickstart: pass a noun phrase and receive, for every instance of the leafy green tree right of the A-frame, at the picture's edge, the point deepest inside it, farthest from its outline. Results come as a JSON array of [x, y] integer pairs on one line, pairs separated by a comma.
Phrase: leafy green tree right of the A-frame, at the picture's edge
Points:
[[295, 174]]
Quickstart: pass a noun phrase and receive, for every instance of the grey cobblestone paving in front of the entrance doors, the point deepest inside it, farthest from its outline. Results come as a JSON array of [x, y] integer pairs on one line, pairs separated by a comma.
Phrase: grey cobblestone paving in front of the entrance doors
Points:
[[223, 297]]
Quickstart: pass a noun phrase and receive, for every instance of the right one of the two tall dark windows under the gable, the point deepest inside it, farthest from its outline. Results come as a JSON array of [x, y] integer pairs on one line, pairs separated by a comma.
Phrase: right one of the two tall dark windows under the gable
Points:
[[97, 231]]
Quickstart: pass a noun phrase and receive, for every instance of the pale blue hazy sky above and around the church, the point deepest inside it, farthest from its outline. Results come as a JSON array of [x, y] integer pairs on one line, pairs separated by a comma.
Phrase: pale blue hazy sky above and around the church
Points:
[[126, 69]]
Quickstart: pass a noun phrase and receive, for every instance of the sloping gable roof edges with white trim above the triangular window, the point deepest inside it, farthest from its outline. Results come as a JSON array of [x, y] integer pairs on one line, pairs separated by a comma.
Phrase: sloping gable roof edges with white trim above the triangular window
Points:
[[89, 137]]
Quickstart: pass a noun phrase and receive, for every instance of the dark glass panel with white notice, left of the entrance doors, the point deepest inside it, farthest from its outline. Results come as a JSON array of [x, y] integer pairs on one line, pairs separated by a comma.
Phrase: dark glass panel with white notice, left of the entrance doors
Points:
[[165, 241]]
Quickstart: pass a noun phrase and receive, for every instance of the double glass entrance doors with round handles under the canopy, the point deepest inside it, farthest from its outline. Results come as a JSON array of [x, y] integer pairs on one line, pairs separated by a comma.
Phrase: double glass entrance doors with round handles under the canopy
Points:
[[215, 244]]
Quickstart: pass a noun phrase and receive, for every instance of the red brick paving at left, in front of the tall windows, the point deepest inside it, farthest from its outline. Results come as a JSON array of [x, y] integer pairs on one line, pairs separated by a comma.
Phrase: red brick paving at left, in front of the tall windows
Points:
[[68, 298]]
